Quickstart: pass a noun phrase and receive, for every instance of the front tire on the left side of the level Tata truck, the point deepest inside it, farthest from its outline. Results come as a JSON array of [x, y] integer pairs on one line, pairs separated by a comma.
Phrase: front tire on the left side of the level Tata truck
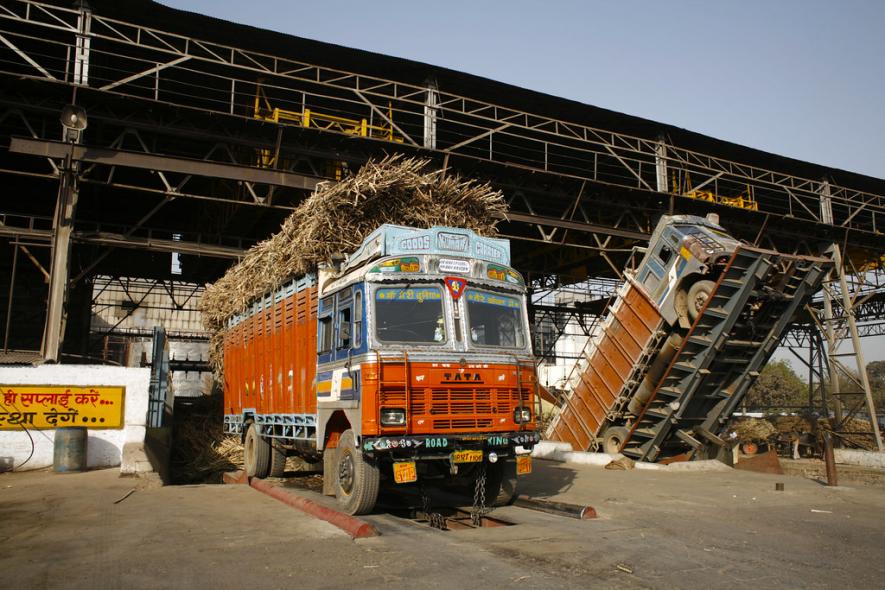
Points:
[[357, 479]]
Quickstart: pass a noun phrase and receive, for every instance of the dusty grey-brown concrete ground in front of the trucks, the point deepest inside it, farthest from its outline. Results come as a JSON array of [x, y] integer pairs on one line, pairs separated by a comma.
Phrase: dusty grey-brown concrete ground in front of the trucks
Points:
[[655, 530]]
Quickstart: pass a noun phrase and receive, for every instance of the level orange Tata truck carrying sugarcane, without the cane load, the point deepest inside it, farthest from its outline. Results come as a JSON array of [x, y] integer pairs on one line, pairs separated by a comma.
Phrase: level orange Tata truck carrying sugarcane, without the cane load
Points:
[[410, 361]]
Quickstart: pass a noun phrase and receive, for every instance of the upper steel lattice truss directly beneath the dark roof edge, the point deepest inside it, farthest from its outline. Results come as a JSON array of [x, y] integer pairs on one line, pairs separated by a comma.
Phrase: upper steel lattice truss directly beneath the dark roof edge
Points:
[[67, 46]]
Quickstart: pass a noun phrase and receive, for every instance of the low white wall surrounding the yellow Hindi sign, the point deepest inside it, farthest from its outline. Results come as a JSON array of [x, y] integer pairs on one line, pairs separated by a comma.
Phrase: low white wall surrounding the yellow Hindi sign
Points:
[[104, 447]]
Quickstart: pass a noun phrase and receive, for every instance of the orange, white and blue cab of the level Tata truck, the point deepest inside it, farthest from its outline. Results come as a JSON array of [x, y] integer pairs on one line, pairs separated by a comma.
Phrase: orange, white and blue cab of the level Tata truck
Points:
[[424, 351]]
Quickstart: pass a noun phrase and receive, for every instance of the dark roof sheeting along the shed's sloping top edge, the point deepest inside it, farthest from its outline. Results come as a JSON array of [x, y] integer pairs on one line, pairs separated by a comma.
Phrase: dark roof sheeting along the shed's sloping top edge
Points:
[[158, 16]]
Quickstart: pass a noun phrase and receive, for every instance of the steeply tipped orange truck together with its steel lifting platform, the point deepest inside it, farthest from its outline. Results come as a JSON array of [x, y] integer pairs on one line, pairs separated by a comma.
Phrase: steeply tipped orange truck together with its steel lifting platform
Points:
[[686, 336]]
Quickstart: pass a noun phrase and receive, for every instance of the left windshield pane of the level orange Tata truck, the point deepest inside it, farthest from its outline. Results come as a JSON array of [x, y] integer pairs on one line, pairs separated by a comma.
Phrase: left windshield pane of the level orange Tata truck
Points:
[[409, 314]]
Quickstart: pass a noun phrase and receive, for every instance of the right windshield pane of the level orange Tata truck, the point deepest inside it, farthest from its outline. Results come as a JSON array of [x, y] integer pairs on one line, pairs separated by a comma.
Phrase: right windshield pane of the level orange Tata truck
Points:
[[494, 319]]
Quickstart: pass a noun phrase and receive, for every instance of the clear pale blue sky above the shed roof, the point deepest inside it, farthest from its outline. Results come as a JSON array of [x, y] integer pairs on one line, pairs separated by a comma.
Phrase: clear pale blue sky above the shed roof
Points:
[[804, 79]]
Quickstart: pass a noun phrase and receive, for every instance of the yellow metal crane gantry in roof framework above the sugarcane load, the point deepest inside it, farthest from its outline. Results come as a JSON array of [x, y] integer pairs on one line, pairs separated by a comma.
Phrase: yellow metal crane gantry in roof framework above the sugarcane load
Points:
[[314, 120]]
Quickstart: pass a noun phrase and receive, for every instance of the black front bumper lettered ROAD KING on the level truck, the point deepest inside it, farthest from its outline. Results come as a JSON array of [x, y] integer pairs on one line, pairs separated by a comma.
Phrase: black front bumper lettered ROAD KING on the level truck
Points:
[[442, 445]]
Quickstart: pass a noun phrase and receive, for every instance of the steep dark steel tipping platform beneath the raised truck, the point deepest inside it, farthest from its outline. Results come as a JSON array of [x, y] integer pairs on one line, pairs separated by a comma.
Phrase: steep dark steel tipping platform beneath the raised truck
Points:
[[735, 334]]
